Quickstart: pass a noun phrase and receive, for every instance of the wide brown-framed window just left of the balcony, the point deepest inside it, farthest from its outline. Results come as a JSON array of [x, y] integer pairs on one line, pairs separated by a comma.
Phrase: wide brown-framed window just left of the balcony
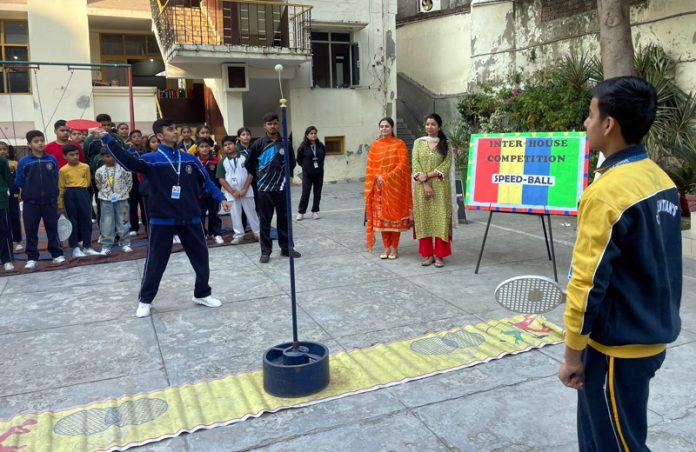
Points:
[[139, 50]]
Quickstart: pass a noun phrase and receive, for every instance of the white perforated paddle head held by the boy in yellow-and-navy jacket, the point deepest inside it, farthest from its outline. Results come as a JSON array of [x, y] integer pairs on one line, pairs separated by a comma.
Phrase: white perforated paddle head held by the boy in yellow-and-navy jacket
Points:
[[529, 294]]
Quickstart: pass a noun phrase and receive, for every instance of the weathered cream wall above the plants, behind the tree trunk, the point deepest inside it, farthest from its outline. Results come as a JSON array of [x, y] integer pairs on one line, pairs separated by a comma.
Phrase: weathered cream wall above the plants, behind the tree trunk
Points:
[[445, 48]]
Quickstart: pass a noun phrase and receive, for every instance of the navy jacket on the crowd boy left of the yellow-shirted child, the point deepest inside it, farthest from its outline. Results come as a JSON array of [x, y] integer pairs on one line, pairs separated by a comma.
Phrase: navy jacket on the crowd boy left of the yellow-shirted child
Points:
[[37, 177]]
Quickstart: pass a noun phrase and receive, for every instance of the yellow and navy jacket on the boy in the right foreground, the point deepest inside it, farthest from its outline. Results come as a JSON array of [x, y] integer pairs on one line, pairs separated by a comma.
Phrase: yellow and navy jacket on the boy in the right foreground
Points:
[[625, 287]]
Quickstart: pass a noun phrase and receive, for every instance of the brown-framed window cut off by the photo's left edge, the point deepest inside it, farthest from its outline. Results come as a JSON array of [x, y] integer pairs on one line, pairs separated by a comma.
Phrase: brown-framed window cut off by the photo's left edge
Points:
[[14, 40]]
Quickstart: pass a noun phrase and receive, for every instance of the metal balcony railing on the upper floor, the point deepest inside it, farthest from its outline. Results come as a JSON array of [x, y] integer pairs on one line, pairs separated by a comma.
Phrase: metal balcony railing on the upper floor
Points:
[[267, 24]]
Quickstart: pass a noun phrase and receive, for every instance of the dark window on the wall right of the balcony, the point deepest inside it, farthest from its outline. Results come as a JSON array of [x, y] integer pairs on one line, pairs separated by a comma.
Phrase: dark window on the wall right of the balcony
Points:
[[335, 60]]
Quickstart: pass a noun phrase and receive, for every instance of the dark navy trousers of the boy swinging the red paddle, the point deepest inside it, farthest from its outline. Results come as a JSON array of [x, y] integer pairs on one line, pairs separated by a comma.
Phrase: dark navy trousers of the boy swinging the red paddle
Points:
[[159, 248]]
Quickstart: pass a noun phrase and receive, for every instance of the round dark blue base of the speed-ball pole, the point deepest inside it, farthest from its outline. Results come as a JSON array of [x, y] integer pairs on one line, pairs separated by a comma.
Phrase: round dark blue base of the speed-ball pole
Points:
[[296, 371]]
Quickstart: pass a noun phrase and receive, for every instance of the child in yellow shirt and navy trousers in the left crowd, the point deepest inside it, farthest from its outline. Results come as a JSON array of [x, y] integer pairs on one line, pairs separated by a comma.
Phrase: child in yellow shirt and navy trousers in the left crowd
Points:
[[74, 180]]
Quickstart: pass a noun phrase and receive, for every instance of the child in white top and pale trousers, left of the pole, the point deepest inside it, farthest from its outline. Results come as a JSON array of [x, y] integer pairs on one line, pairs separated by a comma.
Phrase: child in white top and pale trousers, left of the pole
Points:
[[236, 181]]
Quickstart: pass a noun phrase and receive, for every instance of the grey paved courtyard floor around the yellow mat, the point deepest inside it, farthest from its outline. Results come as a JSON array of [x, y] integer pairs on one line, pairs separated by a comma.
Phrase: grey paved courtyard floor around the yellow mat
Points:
[[69, 337]]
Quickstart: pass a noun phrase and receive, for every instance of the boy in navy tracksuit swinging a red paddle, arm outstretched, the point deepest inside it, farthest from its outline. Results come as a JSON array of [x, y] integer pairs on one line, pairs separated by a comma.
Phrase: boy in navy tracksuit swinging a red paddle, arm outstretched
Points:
[[176, 181]]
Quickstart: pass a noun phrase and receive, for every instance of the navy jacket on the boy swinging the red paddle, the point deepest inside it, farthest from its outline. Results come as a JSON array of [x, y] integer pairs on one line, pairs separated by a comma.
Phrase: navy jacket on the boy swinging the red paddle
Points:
[[159, 169]]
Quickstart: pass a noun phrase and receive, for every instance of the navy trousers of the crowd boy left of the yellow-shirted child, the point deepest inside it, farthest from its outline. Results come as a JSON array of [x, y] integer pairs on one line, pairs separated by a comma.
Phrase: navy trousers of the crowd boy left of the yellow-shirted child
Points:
[[33, 214]]
